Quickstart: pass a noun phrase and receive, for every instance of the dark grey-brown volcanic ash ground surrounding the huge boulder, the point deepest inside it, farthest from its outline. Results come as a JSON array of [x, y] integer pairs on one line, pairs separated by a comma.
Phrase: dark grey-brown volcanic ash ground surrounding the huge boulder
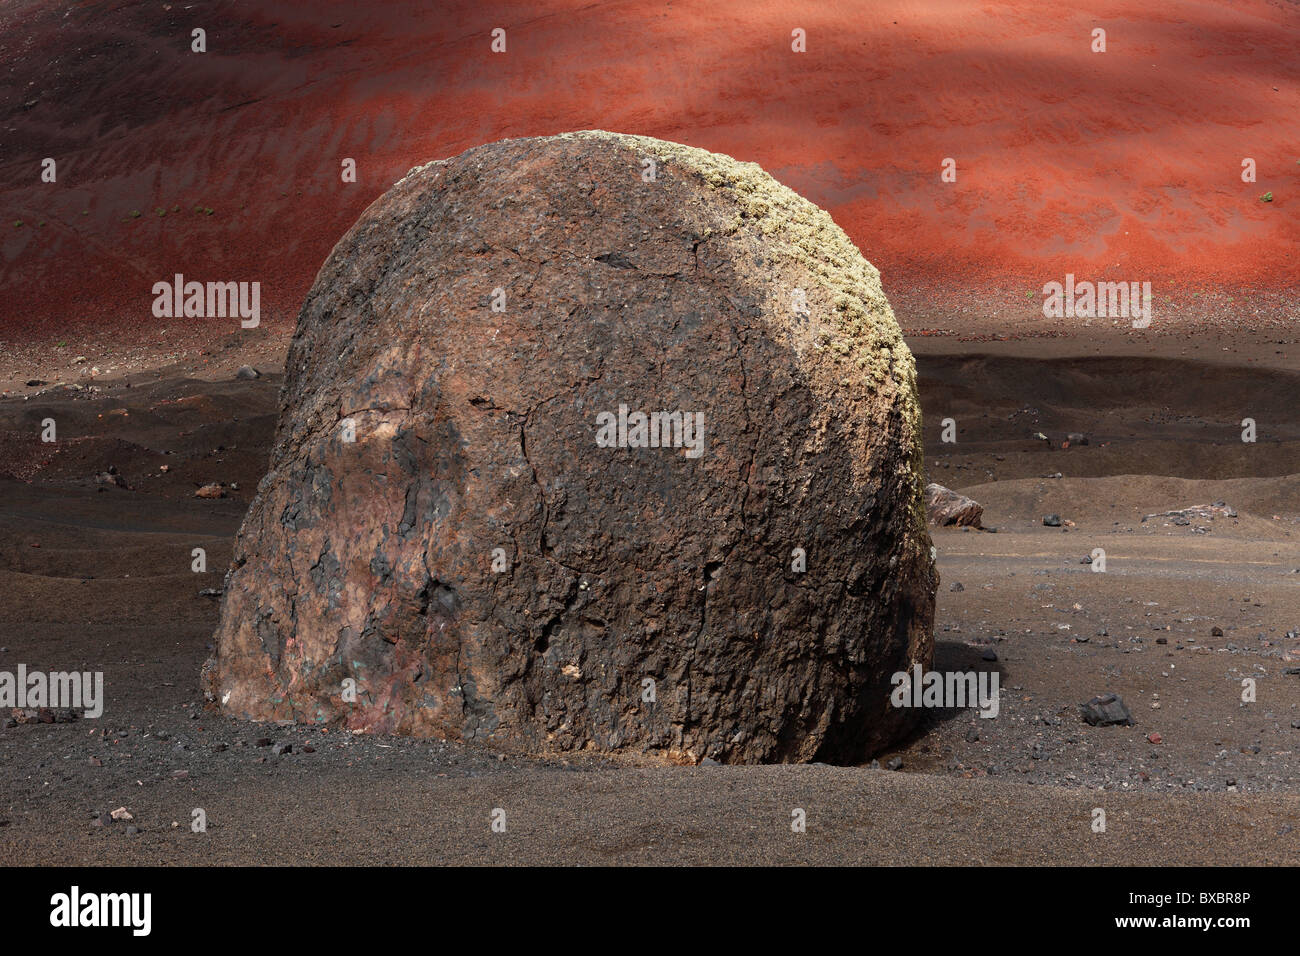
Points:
[[98, 577]]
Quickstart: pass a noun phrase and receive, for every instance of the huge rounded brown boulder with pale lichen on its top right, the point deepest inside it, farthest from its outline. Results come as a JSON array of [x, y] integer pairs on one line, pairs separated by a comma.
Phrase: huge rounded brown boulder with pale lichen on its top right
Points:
[[590, 442]]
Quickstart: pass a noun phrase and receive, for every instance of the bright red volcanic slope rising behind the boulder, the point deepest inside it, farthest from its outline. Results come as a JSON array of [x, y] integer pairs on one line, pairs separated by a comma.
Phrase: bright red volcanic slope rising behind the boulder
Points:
[[1124, 165]]
